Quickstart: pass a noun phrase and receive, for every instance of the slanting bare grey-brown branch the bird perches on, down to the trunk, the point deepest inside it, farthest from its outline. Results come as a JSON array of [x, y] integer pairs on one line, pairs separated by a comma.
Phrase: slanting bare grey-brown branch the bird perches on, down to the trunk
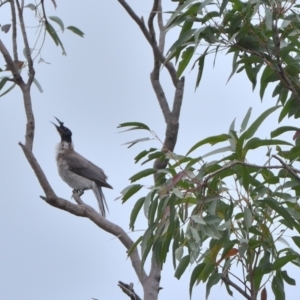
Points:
[[85, 211]]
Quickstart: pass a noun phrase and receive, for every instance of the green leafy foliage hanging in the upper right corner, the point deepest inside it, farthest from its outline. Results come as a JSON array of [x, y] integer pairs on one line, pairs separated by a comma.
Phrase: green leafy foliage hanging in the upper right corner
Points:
[[262, 36]]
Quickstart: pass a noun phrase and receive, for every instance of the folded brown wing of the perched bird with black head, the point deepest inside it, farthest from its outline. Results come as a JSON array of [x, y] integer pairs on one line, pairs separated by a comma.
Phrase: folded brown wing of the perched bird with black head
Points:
[[83, 167]]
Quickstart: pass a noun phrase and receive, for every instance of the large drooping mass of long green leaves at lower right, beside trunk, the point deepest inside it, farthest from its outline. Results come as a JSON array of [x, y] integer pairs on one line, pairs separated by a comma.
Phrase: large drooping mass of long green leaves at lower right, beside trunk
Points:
[[215, 214]]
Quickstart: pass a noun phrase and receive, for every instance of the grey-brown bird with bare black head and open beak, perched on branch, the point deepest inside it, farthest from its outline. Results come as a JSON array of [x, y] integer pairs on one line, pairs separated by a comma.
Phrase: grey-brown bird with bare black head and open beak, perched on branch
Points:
[[78, 172]]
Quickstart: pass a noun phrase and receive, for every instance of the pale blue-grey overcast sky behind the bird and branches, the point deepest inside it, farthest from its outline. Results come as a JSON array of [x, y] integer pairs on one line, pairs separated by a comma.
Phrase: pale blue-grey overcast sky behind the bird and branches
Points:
[[103, 81]]
